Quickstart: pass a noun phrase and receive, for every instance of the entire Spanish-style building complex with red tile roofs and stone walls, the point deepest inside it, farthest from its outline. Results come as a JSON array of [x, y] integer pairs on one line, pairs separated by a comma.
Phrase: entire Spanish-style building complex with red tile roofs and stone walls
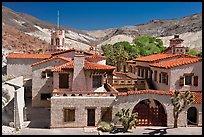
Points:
[[81, 90]]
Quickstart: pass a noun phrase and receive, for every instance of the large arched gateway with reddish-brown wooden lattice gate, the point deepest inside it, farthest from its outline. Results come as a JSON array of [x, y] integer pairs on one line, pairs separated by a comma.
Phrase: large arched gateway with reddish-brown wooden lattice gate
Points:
[[150, 113]]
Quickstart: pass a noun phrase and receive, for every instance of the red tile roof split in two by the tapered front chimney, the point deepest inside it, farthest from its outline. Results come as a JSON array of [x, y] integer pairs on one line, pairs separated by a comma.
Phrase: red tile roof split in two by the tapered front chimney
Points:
[[87, 66]]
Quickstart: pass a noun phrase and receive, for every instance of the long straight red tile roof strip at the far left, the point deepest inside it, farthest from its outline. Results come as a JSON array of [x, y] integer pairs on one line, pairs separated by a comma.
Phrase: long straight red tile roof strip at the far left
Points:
[[26, 55]]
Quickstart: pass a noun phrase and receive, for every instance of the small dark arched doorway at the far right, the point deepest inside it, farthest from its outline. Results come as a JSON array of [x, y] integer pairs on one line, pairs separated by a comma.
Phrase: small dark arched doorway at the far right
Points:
[[192, 116]]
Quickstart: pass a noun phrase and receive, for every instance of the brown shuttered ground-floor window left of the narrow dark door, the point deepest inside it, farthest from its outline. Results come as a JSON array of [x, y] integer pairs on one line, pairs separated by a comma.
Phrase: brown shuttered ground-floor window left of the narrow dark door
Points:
[[69, 115]]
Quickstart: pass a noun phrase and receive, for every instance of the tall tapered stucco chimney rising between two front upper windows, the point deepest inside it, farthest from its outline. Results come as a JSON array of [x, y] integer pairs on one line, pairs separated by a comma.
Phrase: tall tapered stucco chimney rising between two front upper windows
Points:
[[79, 81]]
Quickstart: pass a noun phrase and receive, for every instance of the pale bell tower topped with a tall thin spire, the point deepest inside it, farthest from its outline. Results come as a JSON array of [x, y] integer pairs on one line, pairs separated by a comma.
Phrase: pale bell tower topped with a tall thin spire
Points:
[[57, 37]]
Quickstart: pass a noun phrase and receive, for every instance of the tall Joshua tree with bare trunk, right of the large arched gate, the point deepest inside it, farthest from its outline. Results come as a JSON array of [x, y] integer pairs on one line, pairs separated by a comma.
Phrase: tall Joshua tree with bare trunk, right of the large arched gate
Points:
[[180, 102]]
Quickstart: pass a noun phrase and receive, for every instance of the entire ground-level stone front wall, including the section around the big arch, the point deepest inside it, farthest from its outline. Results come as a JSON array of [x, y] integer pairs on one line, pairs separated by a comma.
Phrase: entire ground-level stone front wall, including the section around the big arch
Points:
[[82, 103]]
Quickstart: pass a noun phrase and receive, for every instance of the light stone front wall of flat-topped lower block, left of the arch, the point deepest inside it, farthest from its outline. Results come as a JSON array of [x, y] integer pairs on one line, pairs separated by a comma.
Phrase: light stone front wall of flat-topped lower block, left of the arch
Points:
[[80, 104]]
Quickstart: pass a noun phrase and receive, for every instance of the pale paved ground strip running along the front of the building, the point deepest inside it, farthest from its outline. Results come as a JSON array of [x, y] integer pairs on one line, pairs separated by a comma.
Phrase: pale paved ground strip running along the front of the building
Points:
[[137, 131]]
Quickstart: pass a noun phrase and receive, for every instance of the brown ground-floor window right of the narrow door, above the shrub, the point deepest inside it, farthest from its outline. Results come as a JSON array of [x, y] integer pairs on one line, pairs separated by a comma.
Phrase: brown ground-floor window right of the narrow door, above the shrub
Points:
[[106, 114]]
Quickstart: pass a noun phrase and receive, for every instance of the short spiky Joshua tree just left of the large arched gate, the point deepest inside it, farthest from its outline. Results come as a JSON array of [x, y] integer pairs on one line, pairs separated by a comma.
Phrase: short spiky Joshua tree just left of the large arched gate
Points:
[[128, 120]]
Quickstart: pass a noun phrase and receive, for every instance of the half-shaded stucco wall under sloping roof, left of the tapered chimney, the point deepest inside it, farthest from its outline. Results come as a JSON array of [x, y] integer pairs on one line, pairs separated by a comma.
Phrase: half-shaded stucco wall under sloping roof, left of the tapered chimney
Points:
[[42, 85]]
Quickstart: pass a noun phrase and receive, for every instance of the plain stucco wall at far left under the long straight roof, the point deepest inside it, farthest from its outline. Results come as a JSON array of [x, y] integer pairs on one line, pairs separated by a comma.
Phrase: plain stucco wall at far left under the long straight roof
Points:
[[20, 67]]
